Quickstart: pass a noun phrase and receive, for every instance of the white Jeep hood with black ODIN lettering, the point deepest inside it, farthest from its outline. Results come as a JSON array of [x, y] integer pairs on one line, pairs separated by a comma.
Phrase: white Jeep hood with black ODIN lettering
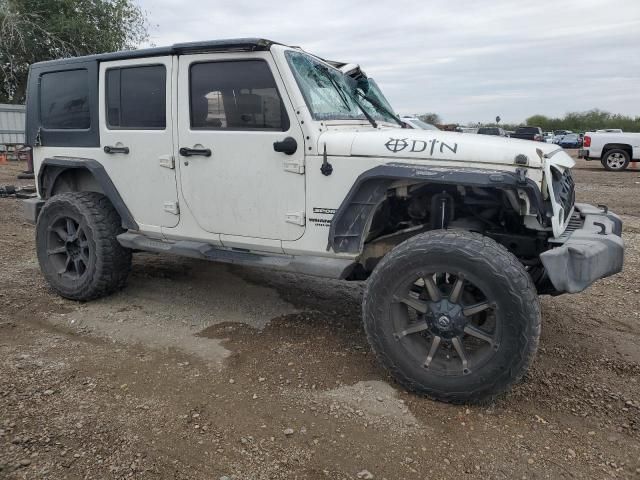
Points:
[[411, 144]]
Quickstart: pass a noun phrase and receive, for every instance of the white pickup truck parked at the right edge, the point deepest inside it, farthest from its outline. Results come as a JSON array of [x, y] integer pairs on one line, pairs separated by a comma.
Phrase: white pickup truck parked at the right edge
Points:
[[615, 150]]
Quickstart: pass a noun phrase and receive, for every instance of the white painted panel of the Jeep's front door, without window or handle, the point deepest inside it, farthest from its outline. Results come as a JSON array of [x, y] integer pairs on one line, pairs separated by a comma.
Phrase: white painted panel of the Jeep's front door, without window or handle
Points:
[[242, 189]]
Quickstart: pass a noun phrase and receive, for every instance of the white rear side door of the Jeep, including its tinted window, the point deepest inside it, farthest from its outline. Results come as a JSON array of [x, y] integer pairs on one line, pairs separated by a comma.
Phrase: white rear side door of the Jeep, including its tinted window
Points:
[[137, 138]]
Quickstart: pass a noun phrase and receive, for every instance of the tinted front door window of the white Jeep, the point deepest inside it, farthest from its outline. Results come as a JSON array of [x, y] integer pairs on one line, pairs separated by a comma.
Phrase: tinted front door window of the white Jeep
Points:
[[235, 95]]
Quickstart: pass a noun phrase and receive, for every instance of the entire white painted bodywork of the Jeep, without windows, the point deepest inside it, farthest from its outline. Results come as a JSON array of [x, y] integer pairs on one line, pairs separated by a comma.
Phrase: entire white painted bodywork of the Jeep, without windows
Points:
[[244, 195]]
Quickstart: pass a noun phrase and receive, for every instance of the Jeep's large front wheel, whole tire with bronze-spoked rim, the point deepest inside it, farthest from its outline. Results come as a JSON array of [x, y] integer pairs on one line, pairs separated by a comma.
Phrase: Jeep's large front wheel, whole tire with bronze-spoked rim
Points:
[[452, 315]]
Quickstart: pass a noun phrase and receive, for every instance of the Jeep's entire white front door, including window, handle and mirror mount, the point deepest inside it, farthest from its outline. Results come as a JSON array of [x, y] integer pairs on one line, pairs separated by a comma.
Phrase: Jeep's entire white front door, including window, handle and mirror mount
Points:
[[233, 116]]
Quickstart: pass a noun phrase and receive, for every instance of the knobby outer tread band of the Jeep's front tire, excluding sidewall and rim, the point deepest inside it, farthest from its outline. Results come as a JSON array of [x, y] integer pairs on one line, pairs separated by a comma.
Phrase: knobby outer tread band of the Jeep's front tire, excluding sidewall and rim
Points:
[[498, 262]]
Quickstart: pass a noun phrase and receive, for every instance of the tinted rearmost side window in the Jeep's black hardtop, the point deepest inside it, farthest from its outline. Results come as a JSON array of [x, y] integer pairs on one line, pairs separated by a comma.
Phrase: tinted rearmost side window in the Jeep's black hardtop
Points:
[[64, 100]]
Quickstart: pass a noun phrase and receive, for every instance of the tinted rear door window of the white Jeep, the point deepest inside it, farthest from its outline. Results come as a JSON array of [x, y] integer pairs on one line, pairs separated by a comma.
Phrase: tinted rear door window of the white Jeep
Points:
[[136, 97]]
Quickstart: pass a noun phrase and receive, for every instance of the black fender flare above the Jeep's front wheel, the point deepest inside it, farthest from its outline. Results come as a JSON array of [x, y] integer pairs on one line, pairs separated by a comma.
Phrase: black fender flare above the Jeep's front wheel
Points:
[[352, 220]]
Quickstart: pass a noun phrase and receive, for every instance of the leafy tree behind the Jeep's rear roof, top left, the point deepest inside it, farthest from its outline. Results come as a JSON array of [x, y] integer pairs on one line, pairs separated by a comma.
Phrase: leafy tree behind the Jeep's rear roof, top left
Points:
[[36, 30]]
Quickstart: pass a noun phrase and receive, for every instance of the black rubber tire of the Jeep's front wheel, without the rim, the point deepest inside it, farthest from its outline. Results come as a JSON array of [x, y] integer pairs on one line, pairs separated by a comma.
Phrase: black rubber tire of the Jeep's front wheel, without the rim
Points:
[[476, 257]]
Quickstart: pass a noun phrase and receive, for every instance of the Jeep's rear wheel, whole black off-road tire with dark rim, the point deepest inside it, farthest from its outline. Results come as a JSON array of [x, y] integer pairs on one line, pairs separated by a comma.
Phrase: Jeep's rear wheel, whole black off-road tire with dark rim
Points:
[[102, 266]]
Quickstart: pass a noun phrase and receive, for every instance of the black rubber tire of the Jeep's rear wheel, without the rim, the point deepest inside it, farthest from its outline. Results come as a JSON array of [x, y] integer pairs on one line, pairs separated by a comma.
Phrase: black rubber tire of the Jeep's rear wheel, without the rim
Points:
[[103, 224]]
